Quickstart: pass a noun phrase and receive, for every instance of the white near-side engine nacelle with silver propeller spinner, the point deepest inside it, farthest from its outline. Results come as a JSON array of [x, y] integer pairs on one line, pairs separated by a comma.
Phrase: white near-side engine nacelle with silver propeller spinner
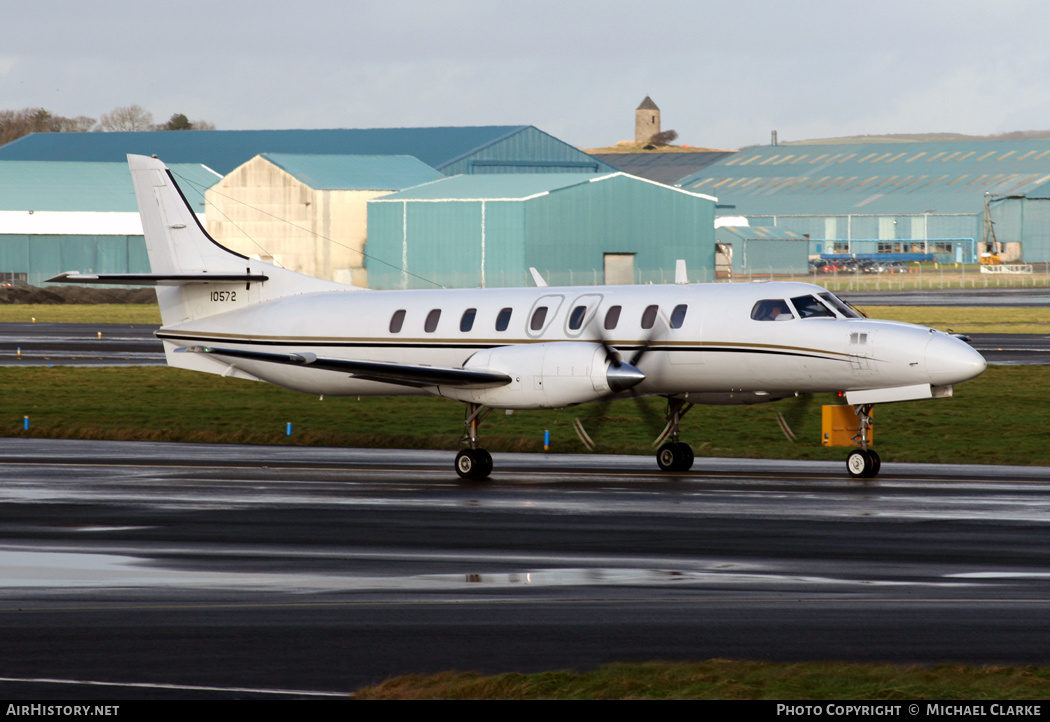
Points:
[[548, 376]]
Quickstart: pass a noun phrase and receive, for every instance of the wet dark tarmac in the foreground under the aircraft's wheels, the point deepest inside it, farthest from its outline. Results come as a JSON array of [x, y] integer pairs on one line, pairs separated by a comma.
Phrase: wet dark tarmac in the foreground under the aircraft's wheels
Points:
[[169, 570]]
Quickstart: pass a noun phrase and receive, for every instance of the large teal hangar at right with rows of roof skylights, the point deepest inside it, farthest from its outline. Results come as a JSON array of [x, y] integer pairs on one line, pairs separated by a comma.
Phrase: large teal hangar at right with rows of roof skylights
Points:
[[915, 198]]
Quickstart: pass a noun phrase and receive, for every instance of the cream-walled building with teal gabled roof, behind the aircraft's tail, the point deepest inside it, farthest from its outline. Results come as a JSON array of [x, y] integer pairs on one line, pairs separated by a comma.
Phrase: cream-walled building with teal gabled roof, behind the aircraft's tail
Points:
[[308, 214]]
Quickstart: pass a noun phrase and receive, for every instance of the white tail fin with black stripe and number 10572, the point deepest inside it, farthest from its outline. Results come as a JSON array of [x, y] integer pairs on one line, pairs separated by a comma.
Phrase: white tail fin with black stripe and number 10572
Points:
[[197, 278]]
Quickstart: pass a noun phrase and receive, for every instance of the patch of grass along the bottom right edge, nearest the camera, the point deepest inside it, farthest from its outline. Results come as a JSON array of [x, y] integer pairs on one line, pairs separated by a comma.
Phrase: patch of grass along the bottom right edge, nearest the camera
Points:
[[724, 679]]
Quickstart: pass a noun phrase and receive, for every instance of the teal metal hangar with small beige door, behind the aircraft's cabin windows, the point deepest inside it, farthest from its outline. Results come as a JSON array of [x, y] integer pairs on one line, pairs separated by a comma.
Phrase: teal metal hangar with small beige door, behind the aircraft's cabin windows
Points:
[[471, 231]]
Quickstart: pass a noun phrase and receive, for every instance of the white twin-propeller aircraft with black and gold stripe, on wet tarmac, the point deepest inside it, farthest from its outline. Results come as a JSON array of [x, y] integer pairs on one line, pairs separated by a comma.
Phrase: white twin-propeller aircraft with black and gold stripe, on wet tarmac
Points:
[[520, 349]]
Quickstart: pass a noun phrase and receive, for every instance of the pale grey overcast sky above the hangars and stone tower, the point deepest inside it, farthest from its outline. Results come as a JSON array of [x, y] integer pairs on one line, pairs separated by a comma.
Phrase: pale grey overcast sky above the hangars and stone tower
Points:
[[724, 74]]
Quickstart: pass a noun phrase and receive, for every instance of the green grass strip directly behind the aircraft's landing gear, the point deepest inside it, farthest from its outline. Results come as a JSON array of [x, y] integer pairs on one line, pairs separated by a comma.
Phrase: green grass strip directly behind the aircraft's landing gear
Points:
[[996, 419]]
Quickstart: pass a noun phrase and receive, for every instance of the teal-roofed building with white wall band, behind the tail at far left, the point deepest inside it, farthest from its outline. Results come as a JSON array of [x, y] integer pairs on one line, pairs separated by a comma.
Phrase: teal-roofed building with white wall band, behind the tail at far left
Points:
[[77, 217]]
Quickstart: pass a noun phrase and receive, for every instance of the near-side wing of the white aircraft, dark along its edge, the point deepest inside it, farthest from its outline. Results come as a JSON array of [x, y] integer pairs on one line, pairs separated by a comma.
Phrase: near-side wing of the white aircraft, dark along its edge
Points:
[[403, 375]]
